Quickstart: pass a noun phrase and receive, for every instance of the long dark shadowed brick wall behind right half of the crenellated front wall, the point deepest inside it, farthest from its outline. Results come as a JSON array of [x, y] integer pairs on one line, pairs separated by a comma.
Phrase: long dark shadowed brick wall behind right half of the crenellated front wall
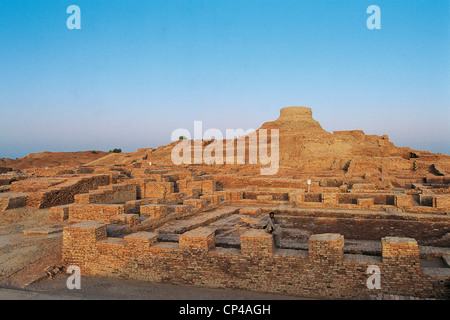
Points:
[[367, 229]]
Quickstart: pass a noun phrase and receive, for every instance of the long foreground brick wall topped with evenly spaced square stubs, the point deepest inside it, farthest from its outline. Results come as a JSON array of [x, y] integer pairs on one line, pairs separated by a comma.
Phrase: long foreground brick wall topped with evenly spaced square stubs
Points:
[[324, 271]]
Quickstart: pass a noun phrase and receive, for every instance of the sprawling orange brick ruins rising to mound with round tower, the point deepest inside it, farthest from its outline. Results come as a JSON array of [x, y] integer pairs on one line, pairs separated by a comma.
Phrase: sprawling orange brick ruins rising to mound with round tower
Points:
[[139, 216]]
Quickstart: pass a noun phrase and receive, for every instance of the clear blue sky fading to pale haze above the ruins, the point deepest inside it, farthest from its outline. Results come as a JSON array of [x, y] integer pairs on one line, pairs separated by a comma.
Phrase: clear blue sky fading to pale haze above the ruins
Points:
[[137, 70]]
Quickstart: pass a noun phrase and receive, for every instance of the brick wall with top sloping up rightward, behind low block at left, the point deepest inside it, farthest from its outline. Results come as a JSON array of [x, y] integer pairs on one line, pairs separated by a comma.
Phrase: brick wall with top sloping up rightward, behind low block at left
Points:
[[117, 193]]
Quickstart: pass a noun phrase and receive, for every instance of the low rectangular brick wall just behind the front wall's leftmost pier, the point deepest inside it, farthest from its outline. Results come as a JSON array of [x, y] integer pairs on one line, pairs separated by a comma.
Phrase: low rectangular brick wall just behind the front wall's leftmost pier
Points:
[[94, 212]]
